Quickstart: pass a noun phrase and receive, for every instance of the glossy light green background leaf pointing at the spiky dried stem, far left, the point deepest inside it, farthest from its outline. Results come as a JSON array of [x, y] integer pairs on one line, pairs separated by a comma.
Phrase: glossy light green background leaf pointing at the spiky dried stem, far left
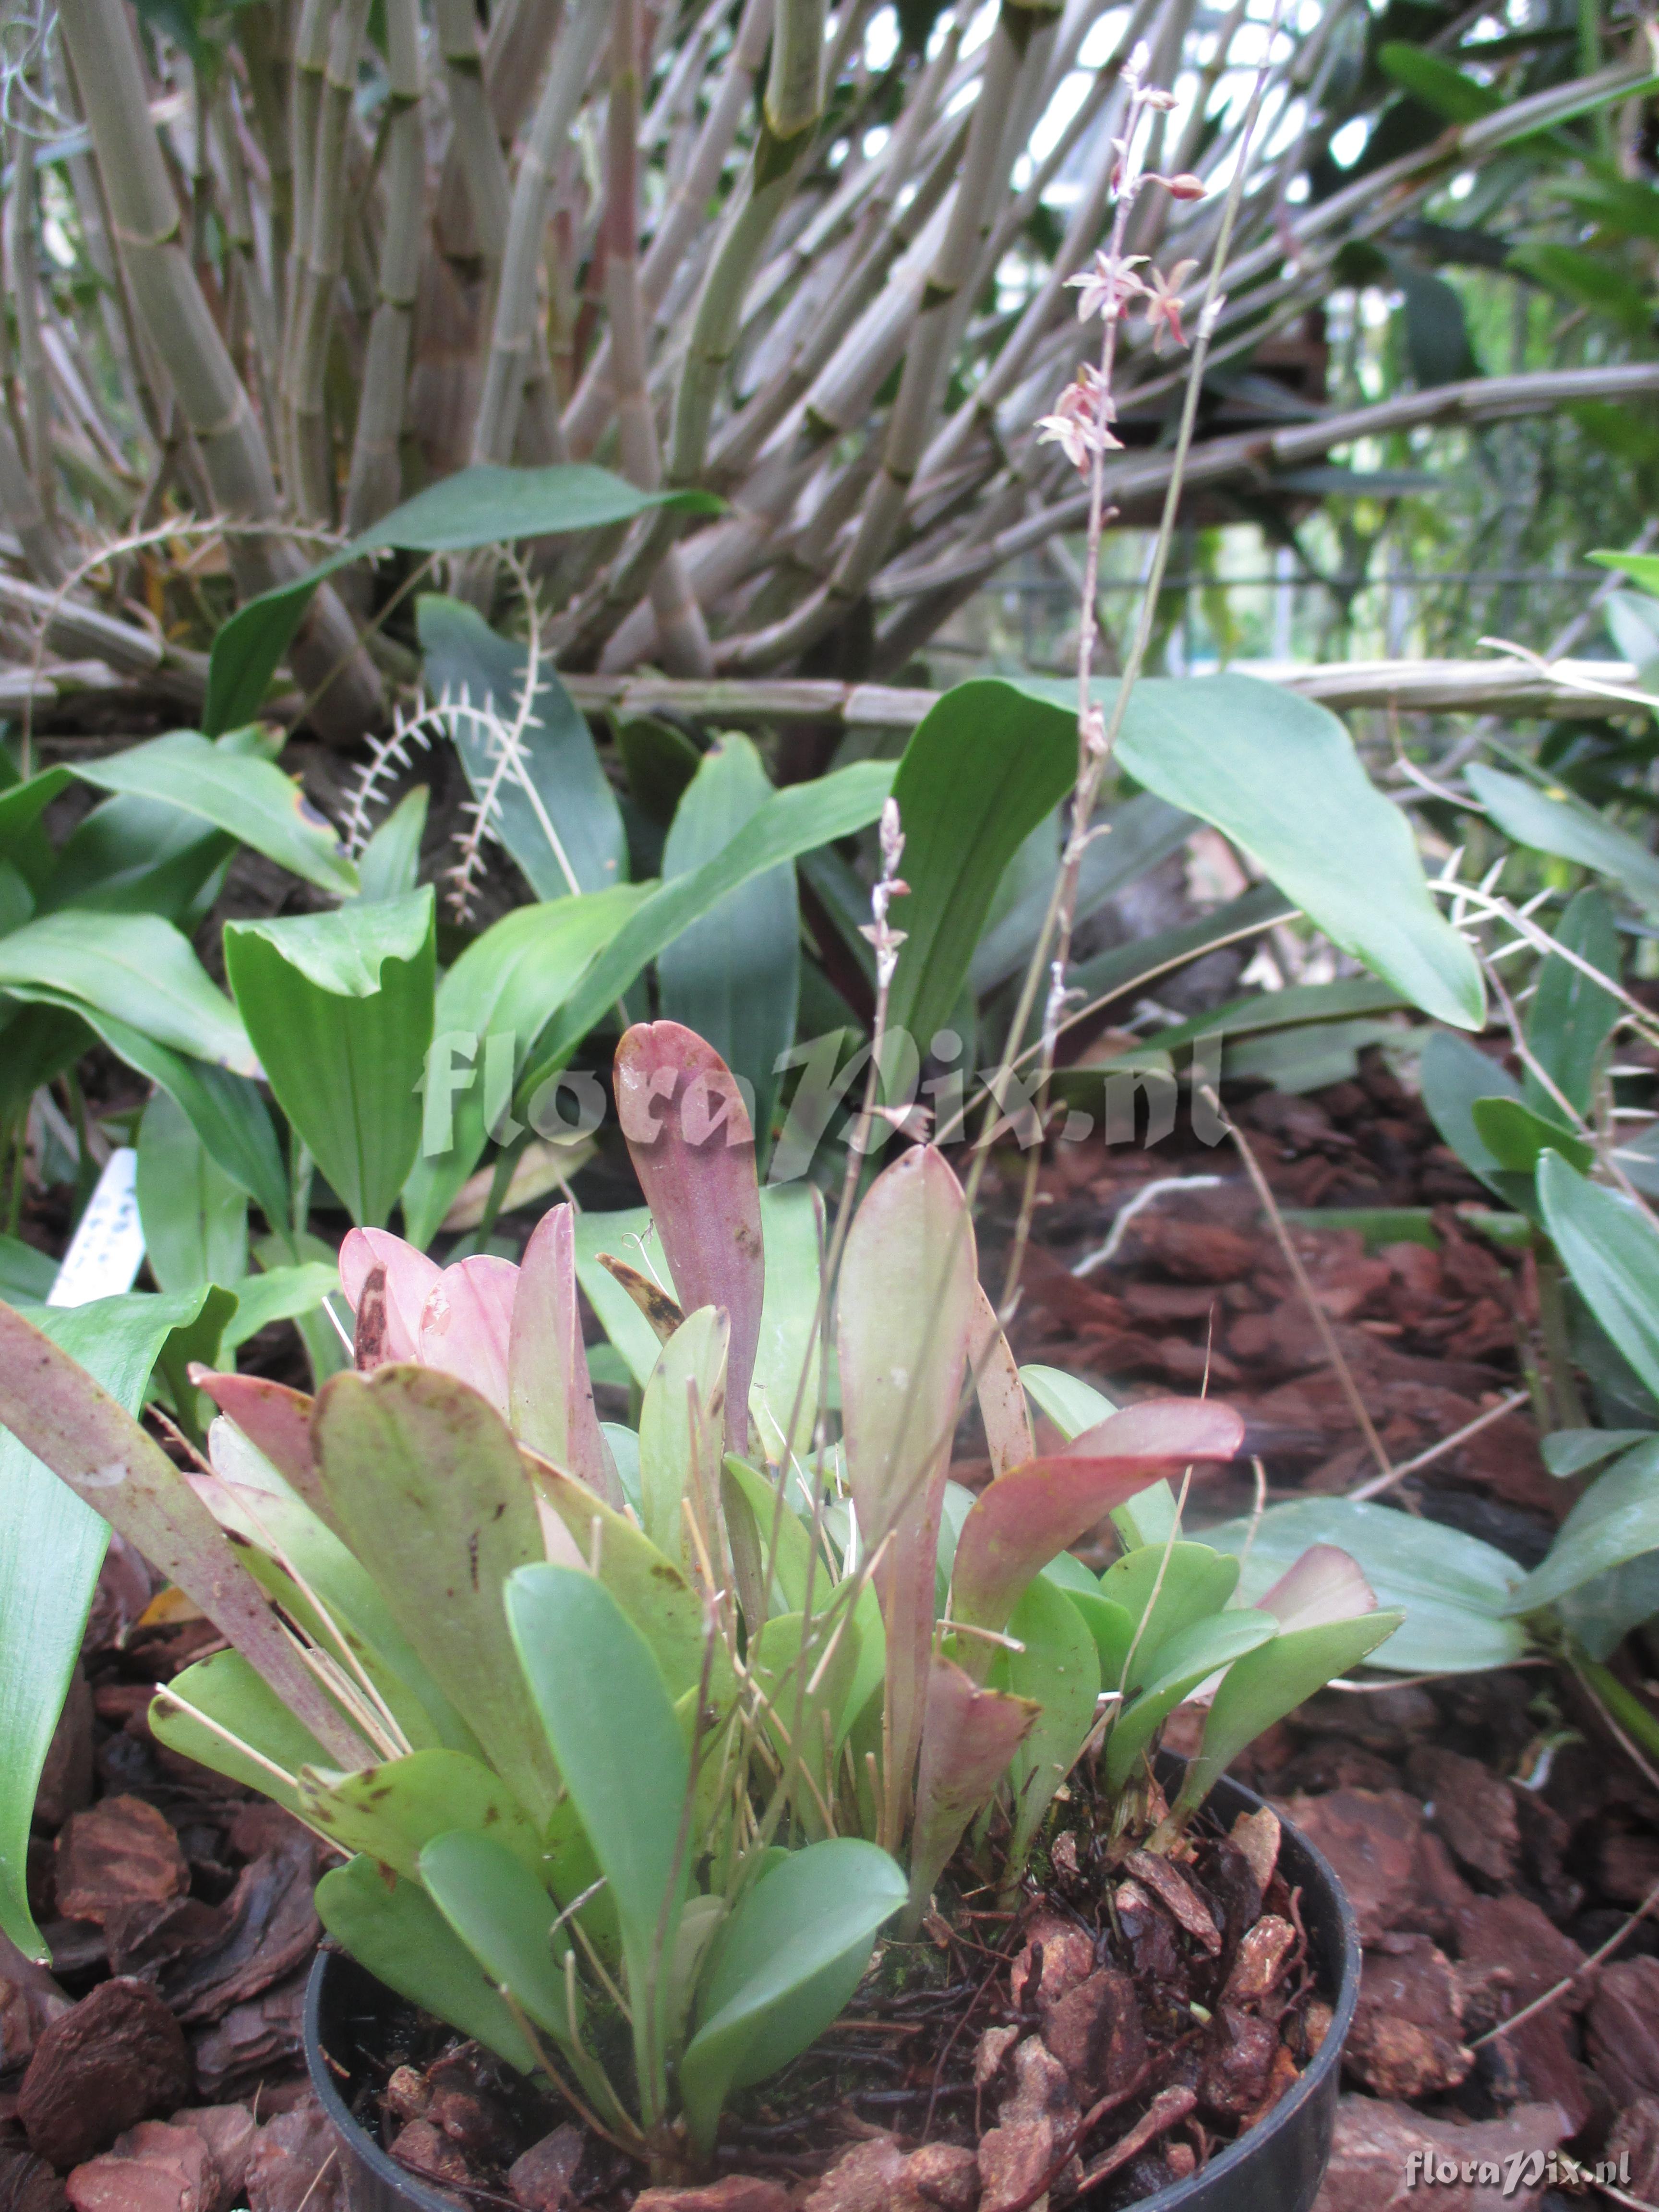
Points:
[[238, 793]]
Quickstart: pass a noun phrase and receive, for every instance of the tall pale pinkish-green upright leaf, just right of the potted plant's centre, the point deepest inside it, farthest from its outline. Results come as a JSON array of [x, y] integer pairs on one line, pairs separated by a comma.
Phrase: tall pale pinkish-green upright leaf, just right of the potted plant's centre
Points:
[[904, 1324]]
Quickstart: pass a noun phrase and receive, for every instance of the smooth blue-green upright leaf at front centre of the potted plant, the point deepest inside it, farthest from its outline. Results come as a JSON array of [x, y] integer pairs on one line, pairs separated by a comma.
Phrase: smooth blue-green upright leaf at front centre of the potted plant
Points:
[[623, 1755]]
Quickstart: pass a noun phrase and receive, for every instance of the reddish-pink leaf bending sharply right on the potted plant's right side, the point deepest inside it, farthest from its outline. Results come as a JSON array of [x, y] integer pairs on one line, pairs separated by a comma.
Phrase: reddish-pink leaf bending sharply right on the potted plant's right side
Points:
[[1036, 1512]]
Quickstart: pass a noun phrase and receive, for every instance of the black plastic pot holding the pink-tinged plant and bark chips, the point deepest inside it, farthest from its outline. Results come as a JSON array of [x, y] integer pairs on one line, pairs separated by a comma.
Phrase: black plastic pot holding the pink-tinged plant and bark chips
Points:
[[1275, 2169]]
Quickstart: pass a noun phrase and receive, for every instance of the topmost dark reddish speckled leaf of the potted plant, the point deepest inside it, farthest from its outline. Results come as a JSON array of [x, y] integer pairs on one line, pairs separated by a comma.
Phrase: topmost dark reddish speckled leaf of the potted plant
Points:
[[693, 1151]]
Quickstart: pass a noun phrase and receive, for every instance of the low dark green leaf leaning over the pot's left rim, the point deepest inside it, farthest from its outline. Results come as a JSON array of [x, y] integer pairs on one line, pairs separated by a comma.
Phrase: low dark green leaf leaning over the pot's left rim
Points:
[[397, 1932]]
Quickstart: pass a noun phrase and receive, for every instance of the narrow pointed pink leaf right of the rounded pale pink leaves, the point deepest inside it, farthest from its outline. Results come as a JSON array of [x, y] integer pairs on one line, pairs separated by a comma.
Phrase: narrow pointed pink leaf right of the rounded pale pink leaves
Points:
[[550, 1392]]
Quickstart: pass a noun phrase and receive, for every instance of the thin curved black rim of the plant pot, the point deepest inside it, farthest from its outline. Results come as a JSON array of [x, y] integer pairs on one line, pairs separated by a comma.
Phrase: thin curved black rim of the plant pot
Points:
[[1255, 2145]]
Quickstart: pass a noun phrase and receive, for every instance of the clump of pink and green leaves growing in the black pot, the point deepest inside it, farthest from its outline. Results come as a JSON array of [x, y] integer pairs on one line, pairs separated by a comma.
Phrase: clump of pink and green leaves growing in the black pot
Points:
[[643, 1738]]
